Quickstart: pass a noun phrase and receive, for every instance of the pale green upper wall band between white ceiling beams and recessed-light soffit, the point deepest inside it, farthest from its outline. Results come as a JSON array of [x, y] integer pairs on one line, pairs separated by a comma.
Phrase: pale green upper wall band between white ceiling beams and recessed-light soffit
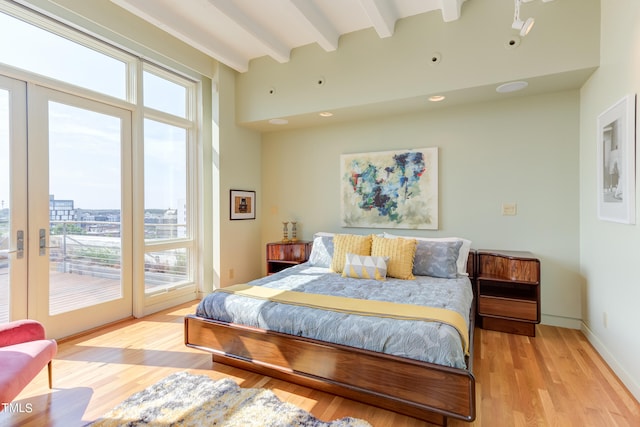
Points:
[[367, 70]]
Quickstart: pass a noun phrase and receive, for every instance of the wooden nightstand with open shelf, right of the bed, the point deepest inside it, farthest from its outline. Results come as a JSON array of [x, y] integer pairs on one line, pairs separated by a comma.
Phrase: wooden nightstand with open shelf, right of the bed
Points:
[[508, 291]]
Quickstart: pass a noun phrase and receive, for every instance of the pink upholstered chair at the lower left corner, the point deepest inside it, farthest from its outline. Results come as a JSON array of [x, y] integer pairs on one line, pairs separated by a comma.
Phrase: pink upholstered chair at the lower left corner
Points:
[[24, 351]]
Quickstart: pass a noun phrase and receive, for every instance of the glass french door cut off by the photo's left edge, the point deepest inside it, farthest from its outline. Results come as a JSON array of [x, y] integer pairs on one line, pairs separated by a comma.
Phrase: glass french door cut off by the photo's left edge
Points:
[[13, 199]]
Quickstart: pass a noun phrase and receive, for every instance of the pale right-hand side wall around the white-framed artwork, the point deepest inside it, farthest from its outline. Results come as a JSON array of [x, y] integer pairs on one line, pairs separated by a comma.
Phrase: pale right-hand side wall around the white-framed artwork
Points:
[[609, 251]]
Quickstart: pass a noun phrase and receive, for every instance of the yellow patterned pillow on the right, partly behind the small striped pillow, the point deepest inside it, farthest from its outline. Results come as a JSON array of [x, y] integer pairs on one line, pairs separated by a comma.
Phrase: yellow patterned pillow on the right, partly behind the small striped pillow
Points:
[[400, 252]]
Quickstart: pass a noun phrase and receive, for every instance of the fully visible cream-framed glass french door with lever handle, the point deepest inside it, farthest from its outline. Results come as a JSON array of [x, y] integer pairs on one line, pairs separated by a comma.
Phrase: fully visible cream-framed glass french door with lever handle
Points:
[[77, 246]]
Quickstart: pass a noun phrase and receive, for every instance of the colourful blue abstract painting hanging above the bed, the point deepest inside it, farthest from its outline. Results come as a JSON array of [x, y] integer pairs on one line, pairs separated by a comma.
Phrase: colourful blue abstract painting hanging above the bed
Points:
[[390, 189]]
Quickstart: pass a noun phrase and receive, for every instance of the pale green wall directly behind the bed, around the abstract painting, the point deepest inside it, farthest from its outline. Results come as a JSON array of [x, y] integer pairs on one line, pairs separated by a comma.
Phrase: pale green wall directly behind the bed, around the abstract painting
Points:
[[522, 150]]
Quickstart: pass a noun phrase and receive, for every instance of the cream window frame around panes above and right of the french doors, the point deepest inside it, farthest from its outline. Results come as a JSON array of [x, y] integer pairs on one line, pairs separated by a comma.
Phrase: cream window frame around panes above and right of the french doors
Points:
[[135, 65]]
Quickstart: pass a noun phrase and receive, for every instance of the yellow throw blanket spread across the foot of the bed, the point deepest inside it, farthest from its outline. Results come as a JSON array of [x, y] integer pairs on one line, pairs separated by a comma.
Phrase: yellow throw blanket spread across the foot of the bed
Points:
[[357, 306]]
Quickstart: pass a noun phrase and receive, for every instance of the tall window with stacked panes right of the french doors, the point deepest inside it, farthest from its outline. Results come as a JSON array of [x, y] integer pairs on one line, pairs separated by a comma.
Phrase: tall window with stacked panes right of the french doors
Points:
[[168, 158]]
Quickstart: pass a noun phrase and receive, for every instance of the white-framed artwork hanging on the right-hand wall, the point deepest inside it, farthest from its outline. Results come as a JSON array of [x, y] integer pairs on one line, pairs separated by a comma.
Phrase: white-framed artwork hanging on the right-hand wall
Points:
[[616, 153]]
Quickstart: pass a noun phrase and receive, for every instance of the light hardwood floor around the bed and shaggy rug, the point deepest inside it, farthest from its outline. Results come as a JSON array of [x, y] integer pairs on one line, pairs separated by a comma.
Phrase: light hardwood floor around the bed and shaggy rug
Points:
[[554, 379]]
